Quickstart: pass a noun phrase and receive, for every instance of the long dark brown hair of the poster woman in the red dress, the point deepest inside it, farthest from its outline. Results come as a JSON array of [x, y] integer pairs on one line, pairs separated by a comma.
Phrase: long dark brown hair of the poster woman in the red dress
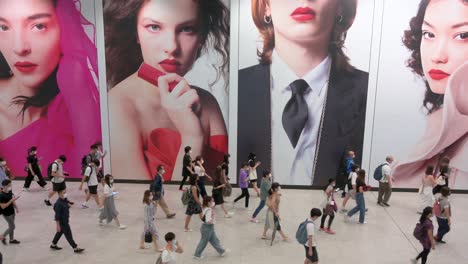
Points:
[[123, 54]]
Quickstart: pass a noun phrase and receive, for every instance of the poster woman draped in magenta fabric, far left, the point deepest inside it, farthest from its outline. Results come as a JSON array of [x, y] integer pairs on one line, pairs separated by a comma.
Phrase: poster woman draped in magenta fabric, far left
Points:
[[48, 93]]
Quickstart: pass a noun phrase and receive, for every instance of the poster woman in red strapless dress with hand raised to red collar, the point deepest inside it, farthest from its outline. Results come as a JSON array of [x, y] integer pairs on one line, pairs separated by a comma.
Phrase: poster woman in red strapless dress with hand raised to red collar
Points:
[[150, 124]]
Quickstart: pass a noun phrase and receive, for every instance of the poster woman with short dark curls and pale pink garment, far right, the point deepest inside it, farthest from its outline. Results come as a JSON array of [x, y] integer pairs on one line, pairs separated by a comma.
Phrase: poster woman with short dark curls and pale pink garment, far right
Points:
[[439, 46]]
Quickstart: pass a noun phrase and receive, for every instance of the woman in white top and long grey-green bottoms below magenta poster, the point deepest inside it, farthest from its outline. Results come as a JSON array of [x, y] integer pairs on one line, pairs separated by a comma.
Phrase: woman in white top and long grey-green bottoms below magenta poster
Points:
[[109, 212]]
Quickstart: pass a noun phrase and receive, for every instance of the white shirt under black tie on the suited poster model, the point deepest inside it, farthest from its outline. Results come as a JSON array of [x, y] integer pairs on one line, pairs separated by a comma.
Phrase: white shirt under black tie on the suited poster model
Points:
[[295, 166]]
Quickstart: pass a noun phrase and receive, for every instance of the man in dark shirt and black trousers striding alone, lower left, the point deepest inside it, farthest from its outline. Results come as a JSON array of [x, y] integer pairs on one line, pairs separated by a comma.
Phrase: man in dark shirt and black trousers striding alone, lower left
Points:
[[62, 217]]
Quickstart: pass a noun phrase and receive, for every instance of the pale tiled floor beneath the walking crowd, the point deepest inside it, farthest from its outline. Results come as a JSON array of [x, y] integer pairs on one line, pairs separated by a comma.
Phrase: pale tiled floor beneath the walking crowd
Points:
[[387, 238]]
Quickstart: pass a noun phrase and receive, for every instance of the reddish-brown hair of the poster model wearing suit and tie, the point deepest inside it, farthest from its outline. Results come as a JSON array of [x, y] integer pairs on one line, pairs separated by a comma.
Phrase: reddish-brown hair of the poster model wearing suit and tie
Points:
[[338, 36]]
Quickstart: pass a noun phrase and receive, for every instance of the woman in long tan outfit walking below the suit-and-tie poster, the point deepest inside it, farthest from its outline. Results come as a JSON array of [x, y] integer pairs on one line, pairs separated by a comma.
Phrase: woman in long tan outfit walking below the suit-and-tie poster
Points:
[[273, 218]]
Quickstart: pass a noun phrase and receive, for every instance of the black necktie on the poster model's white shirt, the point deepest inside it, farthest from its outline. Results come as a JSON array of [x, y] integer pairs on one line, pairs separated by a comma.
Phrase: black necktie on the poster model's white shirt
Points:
[[296, 112]]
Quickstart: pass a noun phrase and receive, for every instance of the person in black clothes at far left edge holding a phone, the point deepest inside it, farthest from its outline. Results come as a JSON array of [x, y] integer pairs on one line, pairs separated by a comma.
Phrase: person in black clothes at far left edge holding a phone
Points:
[[9, 208]]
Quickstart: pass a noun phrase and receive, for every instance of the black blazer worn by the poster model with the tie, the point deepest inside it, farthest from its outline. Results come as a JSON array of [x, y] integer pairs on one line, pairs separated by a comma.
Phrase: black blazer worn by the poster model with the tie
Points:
[[343, 124]]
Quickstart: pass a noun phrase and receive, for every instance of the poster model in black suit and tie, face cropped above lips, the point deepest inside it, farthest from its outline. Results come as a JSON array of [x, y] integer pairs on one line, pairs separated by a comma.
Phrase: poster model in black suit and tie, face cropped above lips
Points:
[[303, 106]]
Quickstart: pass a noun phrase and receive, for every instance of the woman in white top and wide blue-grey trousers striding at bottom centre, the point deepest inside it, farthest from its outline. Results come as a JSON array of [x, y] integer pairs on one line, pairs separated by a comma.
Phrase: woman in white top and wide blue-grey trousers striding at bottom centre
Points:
[[208, 234]]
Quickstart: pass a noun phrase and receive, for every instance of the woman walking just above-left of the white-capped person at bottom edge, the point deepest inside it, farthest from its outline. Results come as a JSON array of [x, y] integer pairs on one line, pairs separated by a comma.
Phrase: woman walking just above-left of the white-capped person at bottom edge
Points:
[[148, 218]]
